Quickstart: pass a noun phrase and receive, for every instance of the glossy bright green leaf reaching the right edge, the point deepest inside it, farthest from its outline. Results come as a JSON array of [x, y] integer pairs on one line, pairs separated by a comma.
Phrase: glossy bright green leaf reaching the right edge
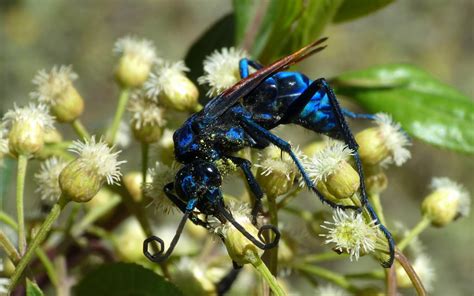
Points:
[[427, 108]]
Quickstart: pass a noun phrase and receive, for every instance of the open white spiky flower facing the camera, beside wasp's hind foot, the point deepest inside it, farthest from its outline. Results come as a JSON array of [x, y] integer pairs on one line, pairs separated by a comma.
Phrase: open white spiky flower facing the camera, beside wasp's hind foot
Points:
[[351, 233]]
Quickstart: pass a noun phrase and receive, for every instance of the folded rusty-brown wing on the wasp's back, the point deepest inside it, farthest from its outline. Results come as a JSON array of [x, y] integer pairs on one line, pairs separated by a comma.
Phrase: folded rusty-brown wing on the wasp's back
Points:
[[218, 105]]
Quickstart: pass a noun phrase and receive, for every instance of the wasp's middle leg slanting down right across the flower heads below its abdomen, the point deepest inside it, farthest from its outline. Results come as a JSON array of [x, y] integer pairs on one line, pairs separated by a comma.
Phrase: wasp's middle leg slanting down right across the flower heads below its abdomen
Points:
[[258, 132]]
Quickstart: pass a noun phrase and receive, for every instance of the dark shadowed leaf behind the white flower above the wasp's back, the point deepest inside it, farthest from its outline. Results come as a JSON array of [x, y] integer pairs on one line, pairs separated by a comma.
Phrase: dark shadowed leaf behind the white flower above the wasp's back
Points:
[[220, 34]]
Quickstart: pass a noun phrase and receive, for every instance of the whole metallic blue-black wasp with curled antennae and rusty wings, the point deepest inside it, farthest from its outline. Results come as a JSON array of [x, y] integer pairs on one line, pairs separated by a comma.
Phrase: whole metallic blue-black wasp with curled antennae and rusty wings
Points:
[[242, 116]]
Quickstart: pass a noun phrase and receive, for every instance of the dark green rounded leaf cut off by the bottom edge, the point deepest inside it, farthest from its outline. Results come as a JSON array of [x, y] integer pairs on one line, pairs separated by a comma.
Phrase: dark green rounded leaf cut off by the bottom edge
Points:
[[124, 279]]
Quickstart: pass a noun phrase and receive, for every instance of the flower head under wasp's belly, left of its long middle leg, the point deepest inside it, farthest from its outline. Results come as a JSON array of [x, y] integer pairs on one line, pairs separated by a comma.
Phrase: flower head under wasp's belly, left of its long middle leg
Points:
[[277, 172]]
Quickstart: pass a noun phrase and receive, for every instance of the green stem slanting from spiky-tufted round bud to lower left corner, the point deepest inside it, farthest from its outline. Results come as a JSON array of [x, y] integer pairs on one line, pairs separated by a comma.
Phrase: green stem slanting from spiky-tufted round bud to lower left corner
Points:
[[37, 240]]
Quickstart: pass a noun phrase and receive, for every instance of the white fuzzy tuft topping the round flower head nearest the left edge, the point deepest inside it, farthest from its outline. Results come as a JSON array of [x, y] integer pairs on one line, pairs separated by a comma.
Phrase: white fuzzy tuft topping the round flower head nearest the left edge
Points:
[[32, 115]]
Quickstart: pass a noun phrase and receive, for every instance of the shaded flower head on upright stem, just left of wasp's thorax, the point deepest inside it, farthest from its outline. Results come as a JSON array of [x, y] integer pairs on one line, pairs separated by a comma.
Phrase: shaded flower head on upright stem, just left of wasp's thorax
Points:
[[147, 118]]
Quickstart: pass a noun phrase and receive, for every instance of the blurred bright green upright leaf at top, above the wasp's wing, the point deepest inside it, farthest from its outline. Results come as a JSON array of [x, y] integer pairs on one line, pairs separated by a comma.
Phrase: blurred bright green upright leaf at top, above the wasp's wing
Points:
[[286, 25]]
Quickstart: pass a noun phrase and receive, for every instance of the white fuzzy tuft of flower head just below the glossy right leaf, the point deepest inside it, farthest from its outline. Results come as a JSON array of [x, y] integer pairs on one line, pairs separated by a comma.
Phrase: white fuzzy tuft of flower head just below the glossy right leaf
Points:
[[395, 140]]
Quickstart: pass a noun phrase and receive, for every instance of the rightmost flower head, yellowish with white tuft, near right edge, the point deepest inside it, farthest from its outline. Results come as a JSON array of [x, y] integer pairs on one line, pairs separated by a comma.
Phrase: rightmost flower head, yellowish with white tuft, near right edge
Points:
[[447, 202]]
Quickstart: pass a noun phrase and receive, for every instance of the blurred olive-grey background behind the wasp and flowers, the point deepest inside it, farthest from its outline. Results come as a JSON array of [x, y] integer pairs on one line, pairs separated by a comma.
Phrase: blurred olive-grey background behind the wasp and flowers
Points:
[[435, 35]]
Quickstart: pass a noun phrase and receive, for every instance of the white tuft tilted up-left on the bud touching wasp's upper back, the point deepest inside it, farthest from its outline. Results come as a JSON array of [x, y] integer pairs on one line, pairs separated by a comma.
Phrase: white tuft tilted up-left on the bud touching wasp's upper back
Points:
[[164, 77]]
